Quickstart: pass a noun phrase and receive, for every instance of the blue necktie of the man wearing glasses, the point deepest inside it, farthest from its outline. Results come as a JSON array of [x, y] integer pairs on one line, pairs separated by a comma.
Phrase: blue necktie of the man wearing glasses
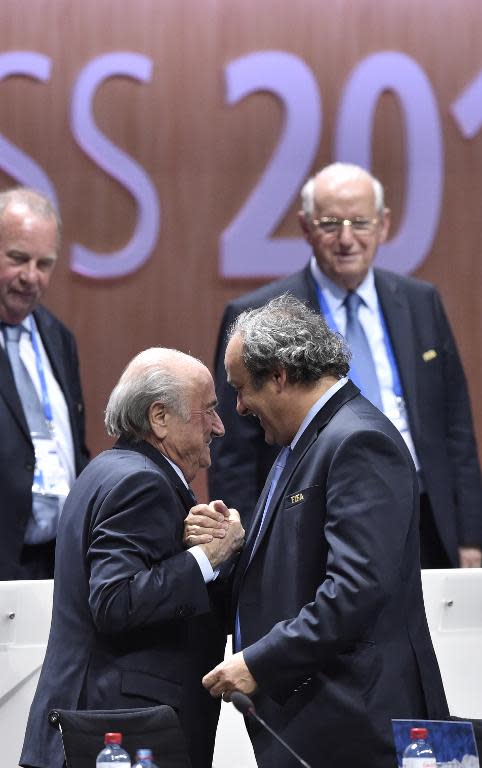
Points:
[[364, 372]]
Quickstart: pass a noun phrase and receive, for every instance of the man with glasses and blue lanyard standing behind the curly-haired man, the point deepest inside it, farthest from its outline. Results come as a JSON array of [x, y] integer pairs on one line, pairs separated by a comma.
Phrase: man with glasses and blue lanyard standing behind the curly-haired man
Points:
[[421, 382]]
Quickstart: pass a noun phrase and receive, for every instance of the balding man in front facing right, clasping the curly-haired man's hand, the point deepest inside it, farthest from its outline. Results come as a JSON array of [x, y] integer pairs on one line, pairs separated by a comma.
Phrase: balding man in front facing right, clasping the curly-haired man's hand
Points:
[[130, 623]]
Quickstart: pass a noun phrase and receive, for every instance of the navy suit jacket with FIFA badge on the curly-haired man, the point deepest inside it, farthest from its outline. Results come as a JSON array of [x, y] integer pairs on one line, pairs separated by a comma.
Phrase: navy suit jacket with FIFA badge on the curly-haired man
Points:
[[330, 597]]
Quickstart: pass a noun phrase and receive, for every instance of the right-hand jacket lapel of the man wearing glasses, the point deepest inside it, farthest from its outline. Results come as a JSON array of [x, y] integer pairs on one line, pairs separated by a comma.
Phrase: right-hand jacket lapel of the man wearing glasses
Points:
[[397, 314]]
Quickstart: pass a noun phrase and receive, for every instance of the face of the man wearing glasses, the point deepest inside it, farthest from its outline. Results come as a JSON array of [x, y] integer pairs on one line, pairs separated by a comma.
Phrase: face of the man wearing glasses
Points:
[[346, 256]]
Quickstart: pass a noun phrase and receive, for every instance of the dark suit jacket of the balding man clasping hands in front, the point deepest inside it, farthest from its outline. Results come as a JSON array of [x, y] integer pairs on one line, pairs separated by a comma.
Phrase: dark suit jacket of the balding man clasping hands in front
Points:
[[128, 603]]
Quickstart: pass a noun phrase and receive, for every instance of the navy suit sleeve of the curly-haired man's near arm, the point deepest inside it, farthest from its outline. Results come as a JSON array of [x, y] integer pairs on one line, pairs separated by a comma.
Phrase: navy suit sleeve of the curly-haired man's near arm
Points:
[[370, 501]]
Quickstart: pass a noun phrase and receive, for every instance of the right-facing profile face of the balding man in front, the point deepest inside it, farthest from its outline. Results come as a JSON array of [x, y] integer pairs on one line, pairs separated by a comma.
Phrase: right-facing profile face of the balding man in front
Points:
[[186, 443]]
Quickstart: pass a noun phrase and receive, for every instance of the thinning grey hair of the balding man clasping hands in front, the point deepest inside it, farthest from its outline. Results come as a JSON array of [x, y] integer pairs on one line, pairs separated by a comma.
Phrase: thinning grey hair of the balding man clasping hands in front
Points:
[[150, 377]]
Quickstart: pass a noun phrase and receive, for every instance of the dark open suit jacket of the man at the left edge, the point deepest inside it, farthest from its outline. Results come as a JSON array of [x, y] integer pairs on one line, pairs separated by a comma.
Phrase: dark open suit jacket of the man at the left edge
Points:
[[17, 456]]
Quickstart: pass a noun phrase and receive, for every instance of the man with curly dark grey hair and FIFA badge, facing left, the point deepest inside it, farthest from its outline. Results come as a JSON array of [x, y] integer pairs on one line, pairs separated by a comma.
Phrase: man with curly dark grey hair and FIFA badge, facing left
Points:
[[330, 627]]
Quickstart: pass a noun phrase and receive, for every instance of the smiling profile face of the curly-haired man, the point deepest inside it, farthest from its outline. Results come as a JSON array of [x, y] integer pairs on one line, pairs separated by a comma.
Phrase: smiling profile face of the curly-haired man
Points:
[[266, 403]]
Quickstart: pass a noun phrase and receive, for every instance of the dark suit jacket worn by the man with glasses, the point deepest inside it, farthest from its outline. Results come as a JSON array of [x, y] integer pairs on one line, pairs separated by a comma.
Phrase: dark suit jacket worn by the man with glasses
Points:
[[436, 398]]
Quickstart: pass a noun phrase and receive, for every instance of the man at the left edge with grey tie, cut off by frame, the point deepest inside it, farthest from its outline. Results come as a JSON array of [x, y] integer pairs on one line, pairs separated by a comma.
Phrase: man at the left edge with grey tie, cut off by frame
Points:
[[29, 246]]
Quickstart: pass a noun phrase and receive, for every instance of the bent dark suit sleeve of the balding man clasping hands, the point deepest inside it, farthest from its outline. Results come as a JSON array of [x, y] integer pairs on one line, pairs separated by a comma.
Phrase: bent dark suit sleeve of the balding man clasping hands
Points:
[[139, 574]]
